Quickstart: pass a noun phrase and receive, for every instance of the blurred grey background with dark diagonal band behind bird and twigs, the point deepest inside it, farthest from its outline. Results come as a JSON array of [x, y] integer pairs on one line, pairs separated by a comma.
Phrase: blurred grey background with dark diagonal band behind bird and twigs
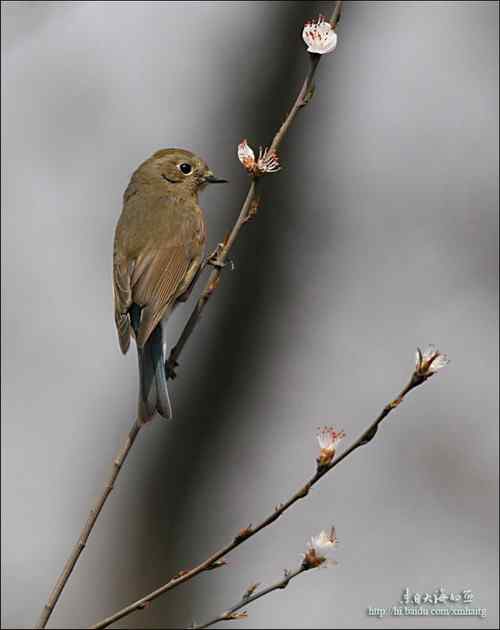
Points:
[[379, 234]]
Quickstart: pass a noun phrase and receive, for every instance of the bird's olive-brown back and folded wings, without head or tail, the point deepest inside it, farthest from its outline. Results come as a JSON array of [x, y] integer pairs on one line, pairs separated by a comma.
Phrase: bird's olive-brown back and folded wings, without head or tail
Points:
[[156, 242]]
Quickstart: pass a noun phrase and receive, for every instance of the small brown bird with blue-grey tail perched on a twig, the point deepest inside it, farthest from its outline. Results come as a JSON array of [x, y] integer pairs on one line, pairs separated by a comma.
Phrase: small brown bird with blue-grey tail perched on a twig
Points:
[[158, 252]]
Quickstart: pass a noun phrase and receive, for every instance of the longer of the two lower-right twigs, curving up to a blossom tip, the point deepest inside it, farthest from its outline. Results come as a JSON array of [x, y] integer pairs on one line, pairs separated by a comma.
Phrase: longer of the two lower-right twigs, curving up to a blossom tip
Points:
[[249, 532]]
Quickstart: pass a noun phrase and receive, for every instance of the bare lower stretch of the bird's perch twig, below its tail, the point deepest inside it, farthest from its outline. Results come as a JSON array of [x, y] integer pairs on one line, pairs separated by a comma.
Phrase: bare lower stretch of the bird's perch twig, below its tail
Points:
[[121, 456]]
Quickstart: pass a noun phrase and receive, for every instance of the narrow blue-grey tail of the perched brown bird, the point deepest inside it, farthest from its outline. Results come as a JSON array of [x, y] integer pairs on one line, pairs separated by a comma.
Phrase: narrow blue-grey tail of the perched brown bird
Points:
[[153, 392]]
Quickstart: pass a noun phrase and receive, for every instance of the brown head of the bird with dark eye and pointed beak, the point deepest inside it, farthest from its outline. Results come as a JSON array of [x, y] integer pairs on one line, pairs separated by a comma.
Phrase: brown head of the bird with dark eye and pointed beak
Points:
[[181, 170]]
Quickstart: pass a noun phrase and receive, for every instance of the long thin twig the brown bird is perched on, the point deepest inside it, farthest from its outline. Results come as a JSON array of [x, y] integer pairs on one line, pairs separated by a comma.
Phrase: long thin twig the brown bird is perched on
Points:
[[245, 214]]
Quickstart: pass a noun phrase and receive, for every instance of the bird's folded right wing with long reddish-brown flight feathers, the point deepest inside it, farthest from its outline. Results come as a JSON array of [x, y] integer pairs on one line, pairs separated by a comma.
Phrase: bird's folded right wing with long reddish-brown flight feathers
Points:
[[155, 283]]
